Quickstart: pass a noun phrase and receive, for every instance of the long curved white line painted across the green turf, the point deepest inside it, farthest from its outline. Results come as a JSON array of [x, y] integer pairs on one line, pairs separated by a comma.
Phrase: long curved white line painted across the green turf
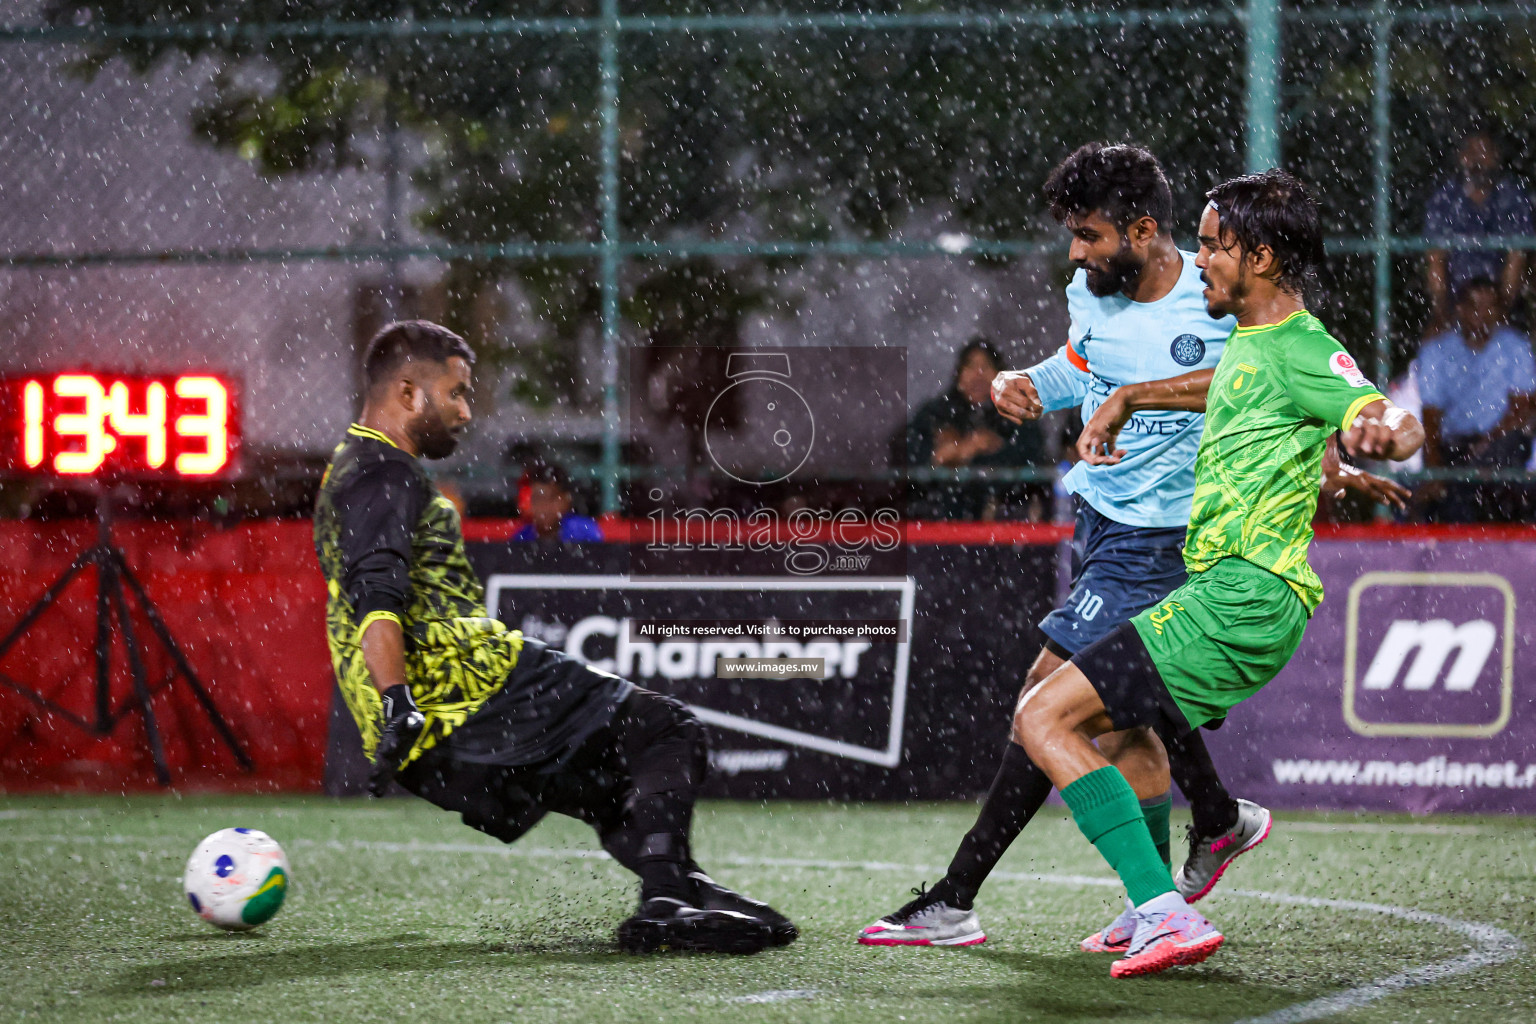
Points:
[[1494, 945]]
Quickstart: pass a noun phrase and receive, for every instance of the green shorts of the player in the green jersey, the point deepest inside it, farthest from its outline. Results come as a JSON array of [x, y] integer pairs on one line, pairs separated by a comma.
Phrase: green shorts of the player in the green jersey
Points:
[[1222, 636]]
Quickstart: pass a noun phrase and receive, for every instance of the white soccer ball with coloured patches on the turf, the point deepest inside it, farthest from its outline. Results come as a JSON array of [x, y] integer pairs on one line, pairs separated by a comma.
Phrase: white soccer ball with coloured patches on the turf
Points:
[[237, 879]]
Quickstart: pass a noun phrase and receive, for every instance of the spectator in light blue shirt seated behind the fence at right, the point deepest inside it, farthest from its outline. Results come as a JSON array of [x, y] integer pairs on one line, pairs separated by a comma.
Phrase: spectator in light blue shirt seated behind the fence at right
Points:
[[1478, 383]]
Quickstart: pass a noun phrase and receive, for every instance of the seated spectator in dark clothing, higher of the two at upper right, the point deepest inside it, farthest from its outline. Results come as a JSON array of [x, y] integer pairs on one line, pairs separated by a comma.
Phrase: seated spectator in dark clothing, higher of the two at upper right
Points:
[[1478, 202]]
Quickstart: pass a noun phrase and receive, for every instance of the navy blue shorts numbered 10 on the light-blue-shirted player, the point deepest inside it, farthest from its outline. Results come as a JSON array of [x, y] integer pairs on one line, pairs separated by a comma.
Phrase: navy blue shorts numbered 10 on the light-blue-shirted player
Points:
[[1117, 572]]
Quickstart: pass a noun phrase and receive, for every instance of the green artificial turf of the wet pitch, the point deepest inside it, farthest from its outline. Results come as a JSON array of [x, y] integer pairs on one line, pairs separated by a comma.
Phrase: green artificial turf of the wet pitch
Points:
[[403, 914]]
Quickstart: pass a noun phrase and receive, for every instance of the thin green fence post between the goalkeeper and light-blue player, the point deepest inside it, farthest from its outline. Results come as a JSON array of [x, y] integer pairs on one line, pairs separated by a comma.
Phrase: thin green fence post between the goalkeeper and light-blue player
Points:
[[609, 185]]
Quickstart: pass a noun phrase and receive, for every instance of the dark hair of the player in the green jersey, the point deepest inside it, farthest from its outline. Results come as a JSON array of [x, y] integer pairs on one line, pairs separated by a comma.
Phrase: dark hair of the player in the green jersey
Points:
[[1274, 210]]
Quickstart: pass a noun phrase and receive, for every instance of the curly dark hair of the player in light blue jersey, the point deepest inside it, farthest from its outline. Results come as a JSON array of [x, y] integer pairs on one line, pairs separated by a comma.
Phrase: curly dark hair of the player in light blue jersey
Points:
[[1125, 183]]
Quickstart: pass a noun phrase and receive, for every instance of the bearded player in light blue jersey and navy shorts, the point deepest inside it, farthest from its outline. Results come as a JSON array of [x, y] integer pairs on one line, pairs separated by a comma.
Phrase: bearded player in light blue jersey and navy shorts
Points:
[[1137, 315]]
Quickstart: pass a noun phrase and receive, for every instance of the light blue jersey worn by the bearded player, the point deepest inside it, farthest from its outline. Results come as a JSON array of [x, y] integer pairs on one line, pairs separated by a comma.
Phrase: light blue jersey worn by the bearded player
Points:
[[1128, 343]]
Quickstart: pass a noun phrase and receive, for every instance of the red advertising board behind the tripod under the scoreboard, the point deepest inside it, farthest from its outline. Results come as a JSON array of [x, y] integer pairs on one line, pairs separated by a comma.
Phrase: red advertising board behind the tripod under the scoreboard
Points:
[[247, 606]]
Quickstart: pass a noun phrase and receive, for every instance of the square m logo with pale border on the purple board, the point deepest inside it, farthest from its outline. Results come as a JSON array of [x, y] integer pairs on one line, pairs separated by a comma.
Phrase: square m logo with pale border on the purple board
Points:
[[1429, 673]]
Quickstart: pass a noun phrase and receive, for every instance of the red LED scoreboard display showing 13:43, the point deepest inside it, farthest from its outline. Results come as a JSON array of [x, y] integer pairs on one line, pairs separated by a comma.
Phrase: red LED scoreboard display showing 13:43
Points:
[[105, 424]]
